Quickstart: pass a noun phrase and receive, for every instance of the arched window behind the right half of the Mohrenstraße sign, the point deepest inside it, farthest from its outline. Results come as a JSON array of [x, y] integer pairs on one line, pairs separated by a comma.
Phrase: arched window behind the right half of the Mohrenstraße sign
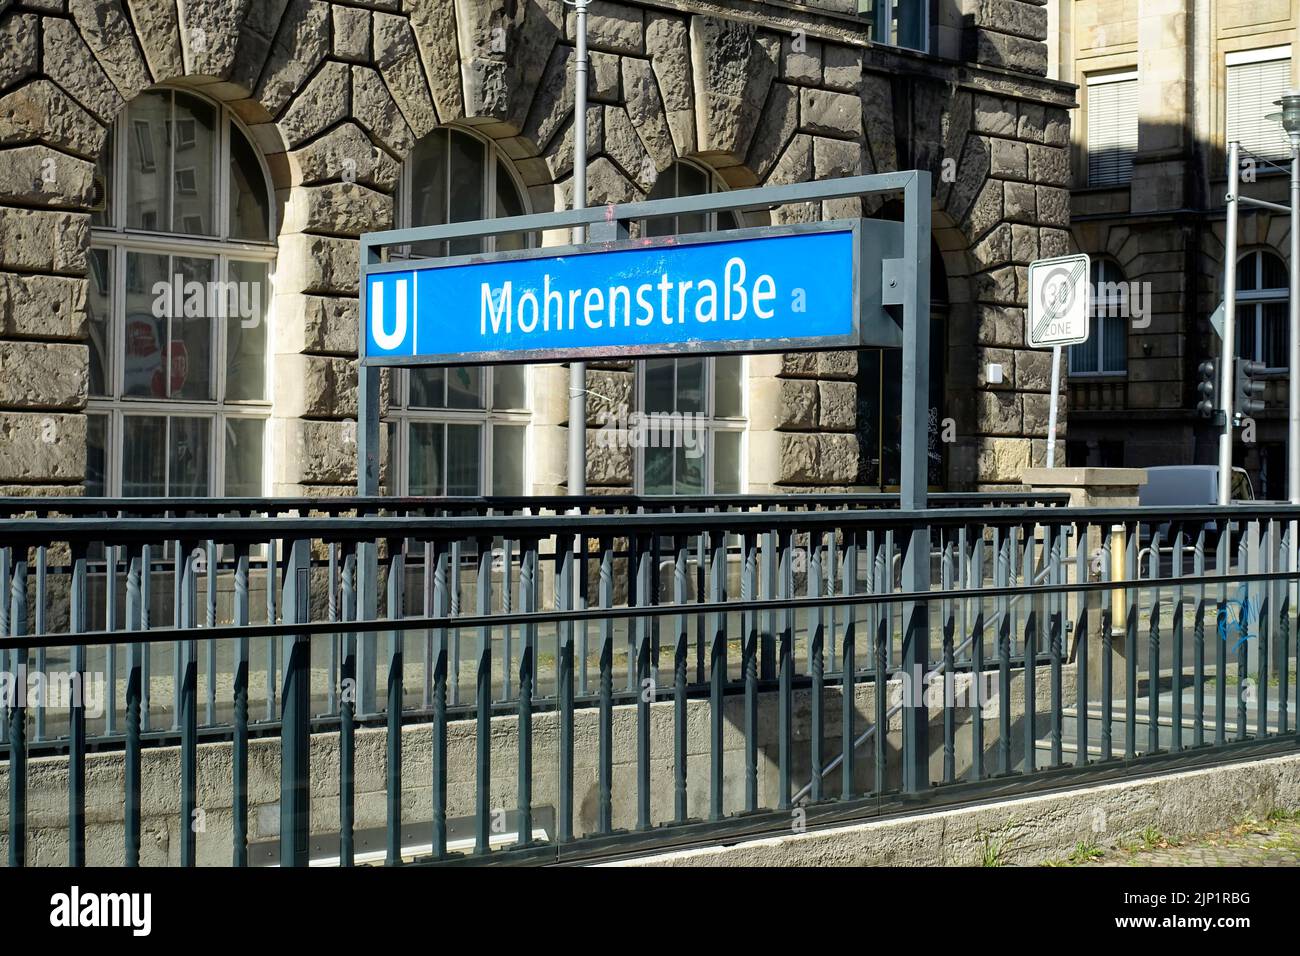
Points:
[[710, 390]]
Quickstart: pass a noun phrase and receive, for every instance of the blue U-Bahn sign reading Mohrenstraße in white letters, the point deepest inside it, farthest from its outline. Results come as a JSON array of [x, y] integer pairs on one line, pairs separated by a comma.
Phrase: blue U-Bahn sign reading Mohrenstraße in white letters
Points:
[[755, 291]]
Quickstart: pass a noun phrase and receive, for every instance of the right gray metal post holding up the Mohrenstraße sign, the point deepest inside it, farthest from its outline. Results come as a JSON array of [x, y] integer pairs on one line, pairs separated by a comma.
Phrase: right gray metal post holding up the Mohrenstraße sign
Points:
[[915, 477]]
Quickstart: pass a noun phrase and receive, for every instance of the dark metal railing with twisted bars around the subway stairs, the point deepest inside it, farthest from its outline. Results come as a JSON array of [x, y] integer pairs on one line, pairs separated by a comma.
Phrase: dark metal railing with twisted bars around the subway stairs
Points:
[[632, 674]]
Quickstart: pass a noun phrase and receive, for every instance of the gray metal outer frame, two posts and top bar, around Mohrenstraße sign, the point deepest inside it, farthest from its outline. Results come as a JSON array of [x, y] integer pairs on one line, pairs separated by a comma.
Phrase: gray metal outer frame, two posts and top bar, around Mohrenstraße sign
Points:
[[904, 283]]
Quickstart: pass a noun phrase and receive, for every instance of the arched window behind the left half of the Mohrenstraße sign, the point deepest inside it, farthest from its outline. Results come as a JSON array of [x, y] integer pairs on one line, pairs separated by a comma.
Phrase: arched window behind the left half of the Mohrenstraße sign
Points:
[[460, 431]]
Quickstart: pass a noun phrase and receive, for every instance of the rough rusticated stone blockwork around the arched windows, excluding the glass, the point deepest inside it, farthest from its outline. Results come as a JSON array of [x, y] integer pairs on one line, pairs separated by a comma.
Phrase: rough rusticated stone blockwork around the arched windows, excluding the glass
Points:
[[337, 94]]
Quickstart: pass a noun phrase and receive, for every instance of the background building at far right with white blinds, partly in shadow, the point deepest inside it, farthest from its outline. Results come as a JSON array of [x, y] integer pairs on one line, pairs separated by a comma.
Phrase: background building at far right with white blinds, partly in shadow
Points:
[[1201, 73]]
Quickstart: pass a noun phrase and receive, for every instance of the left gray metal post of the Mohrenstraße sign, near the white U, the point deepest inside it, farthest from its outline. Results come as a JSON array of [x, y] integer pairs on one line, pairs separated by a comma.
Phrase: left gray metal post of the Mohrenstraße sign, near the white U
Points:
[[367, 487]]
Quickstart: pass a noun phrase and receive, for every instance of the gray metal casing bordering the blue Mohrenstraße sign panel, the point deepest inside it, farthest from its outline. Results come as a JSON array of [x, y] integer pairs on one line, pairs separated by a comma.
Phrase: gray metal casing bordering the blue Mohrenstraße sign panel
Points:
[[868, 331]]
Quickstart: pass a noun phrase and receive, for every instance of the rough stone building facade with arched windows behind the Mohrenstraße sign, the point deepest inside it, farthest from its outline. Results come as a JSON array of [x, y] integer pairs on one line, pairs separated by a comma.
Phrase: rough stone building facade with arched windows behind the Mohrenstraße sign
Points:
[[340, 107]]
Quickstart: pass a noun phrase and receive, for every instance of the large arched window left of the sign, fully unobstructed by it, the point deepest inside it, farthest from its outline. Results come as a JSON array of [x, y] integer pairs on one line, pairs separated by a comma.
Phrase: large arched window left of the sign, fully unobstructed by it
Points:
[[180, 292]]
